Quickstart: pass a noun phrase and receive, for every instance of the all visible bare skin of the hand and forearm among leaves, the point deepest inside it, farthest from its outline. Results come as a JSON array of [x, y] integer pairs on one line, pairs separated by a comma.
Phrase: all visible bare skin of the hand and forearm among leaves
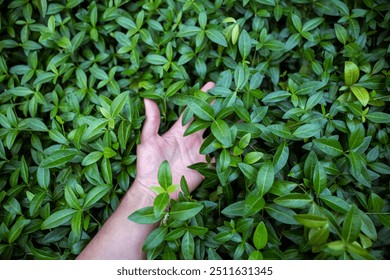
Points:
[[120, 238]]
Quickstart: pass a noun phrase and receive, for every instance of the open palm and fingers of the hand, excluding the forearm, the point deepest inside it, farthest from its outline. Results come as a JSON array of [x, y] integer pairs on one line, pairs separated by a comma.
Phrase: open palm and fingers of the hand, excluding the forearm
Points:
[[180, 151]]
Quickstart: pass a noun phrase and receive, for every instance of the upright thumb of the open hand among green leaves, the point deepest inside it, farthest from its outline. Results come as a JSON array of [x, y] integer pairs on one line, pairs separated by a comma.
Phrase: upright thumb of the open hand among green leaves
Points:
[[152, 121]]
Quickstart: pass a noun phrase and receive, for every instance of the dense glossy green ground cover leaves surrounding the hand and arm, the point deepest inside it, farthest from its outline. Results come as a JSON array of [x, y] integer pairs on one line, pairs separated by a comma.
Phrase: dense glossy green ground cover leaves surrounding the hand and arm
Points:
[[298, 128]]
